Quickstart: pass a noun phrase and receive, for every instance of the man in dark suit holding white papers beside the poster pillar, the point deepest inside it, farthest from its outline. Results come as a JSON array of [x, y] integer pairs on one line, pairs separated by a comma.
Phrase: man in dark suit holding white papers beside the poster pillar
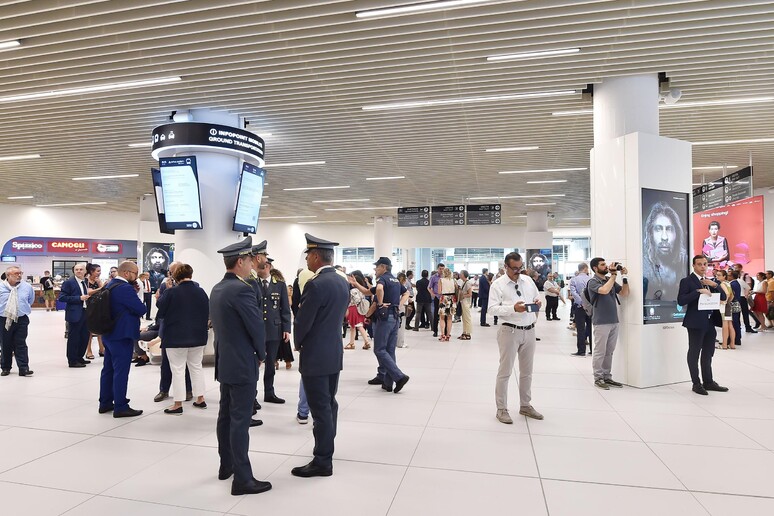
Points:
[[701, 329]]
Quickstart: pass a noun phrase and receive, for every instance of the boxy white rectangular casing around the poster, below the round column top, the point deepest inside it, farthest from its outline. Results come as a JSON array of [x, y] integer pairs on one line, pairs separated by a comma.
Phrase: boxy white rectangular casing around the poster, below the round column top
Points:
[[647, 354]]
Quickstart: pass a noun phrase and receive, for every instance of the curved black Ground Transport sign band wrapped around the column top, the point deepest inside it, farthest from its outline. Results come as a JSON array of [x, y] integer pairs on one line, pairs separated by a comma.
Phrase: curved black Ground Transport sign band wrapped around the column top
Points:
[[186, 137]]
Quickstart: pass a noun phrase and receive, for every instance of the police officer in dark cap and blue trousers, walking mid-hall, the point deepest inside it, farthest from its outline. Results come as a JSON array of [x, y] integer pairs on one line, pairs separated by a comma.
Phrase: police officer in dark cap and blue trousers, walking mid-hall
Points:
[[390, 295]]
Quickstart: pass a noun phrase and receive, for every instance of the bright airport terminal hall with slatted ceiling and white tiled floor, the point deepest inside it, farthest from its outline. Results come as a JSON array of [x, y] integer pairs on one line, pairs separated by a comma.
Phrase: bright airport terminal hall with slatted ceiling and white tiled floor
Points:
[[429, 132]]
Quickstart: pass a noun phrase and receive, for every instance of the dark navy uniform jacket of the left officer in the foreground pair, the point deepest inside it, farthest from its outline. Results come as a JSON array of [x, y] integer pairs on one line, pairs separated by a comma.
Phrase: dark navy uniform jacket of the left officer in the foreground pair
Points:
[[239, 331]]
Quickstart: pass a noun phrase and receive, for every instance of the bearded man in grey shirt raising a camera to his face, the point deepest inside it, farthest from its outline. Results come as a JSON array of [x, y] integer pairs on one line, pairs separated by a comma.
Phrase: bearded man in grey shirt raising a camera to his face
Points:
[[603, 294]]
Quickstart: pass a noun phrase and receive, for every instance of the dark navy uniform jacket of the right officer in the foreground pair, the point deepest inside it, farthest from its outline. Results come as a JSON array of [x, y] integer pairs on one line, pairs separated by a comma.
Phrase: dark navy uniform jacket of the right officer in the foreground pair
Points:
[[317, 331]]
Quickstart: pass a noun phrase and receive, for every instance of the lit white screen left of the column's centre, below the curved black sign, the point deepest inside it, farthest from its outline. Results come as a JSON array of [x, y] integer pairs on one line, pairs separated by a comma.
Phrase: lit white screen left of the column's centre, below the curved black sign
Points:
[[180, 193]]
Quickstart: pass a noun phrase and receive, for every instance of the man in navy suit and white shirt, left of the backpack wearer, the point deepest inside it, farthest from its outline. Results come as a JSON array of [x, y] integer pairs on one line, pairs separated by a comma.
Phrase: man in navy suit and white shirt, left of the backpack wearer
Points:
[[75, 293]]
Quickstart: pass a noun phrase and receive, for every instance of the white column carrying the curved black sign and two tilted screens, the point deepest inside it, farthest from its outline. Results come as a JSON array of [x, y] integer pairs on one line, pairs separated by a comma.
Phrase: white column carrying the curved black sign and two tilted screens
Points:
[[218, 178]]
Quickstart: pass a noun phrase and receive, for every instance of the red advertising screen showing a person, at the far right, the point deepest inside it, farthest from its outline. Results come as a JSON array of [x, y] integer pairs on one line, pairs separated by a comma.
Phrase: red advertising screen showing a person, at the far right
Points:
[[731, 234]]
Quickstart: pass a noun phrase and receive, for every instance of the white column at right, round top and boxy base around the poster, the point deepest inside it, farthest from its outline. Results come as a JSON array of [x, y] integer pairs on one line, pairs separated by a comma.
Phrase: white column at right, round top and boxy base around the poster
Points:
[[628, 156]]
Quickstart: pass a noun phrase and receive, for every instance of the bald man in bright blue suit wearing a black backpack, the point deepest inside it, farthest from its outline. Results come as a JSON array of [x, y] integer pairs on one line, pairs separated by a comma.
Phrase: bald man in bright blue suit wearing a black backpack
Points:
[[125, 310]]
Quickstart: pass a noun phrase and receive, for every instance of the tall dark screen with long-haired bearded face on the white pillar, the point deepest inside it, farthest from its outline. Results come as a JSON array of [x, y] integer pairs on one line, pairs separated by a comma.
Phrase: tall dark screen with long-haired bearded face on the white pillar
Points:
[[665, 256]]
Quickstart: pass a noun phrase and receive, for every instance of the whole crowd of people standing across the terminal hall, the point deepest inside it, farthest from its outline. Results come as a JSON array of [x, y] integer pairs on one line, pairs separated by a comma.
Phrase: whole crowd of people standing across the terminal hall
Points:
[[252, 313]]
